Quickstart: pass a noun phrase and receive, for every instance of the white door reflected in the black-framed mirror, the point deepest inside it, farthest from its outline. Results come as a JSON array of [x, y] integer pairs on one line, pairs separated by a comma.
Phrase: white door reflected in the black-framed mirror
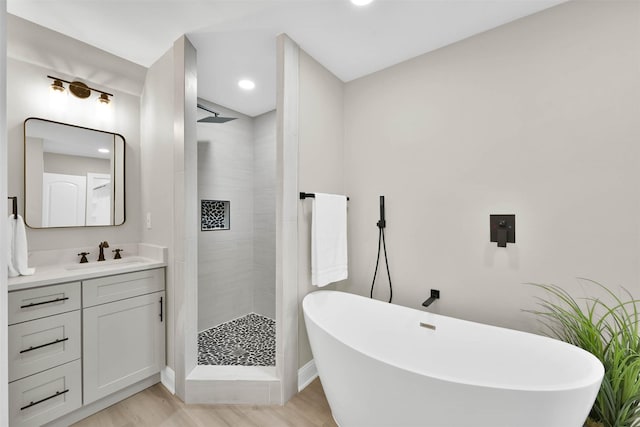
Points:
[[63, 200]]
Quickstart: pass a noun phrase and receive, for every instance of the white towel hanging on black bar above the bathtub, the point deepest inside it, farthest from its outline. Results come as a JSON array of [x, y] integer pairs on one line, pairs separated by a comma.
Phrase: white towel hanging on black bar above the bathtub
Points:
[[329, 239]]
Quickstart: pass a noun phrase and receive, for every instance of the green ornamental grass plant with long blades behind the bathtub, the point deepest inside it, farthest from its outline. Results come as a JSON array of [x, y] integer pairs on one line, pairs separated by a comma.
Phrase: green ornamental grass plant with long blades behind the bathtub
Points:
[[608, 330]]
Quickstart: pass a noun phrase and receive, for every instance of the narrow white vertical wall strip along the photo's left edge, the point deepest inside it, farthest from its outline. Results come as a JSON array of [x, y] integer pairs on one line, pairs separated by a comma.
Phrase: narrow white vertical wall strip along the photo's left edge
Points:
[[4, 321]]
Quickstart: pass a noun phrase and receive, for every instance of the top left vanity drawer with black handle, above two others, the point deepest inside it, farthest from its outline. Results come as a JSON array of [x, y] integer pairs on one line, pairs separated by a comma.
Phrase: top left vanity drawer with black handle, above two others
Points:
[[35, 303]]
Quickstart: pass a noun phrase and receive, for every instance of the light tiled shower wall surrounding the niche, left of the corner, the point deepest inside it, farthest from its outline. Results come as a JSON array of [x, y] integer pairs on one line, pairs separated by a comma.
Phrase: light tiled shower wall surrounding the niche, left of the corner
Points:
[[225, 260]]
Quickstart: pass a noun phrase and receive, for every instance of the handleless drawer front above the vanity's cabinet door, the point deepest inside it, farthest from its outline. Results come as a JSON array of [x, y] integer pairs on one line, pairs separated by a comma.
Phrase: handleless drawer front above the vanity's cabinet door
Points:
[[114, 288]]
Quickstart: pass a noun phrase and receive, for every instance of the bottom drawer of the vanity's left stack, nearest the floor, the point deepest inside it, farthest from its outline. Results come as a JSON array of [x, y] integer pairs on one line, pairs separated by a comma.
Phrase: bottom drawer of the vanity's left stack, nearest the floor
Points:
[[43, 397]]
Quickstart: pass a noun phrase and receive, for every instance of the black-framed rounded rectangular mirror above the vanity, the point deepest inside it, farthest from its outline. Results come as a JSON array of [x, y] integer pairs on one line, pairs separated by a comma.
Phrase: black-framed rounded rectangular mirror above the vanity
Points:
[[73, 176]]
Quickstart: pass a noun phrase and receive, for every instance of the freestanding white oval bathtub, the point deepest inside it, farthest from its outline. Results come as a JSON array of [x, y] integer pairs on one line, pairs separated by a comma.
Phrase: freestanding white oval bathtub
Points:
[[380, 367]]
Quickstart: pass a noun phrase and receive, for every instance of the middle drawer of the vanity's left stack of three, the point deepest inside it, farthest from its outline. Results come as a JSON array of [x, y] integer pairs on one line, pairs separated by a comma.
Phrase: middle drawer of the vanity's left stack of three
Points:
[[43, 343]]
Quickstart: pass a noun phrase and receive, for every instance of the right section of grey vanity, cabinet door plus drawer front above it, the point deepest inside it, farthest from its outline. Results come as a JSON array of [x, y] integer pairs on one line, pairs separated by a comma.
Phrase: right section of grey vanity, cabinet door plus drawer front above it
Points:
[[123, 320]]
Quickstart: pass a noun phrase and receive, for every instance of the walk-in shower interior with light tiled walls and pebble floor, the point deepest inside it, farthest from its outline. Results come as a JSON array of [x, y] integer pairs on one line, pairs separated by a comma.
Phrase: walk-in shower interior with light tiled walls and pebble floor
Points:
[[236, 243]]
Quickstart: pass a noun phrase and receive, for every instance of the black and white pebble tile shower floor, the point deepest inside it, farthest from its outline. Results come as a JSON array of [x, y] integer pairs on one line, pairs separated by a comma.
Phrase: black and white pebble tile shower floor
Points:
[[247, 341]]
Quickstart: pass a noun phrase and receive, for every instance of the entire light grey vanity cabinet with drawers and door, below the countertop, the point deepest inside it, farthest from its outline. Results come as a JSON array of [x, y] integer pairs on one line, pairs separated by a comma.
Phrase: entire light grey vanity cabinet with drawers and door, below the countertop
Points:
[[72, 344]]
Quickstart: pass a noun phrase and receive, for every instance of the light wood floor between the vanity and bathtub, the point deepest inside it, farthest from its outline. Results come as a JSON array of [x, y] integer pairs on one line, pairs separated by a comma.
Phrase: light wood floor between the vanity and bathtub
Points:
[[156, 407]]
